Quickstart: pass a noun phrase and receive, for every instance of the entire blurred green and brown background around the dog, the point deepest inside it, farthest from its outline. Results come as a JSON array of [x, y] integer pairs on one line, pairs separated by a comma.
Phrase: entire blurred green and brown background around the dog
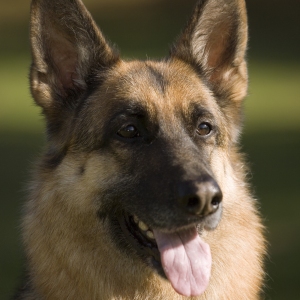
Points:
[[145, 29]]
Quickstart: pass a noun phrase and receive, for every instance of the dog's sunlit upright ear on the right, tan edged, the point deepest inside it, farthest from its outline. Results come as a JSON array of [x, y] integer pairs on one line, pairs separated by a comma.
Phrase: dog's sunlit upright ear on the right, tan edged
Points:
[[215, 42]]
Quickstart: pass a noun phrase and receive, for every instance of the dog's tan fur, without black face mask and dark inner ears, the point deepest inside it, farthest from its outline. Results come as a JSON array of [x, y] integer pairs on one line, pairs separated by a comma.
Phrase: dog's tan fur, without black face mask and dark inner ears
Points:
[[70, 252]]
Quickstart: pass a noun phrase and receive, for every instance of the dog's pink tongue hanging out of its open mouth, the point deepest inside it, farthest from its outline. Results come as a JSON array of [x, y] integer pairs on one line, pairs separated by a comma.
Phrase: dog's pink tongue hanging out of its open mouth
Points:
[[186, 260]]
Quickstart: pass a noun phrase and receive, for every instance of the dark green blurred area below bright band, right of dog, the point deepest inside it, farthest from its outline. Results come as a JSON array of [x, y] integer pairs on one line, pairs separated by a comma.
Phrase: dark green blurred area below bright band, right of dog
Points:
[[275, 164]]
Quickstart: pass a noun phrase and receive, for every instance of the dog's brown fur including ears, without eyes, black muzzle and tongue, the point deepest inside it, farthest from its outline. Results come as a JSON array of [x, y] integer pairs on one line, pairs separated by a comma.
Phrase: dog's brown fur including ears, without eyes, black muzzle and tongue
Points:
[[80, 83]]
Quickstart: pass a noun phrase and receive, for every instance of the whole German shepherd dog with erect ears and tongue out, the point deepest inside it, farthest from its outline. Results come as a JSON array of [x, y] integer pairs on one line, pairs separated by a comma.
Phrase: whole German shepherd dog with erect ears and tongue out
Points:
[[141, 192]]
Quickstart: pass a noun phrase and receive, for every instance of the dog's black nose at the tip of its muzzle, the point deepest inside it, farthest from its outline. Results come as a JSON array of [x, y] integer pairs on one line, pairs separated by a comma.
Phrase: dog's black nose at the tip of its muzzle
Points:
[[200, 197]]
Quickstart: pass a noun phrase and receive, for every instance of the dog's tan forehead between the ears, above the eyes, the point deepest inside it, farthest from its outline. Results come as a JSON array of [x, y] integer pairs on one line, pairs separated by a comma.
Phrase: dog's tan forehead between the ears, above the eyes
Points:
[[171, 85]]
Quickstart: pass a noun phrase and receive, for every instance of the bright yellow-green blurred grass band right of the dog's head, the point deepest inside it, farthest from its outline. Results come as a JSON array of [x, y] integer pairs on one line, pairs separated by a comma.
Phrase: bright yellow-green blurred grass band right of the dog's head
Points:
[[274, 96]]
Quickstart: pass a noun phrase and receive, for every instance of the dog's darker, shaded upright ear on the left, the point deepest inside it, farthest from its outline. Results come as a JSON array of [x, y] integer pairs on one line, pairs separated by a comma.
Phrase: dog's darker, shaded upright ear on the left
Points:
[[67, 49]]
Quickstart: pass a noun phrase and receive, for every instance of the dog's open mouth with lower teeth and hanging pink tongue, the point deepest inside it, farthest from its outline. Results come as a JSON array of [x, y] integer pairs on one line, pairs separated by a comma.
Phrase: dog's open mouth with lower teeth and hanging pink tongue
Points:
[[180, 256]]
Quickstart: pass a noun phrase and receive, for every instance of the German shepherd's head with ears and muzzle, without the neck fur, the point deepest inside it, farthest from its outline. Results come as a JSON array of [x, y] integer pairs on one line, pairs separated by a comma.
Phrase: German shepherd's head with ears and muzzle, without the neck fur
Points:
[[144, 142]]
